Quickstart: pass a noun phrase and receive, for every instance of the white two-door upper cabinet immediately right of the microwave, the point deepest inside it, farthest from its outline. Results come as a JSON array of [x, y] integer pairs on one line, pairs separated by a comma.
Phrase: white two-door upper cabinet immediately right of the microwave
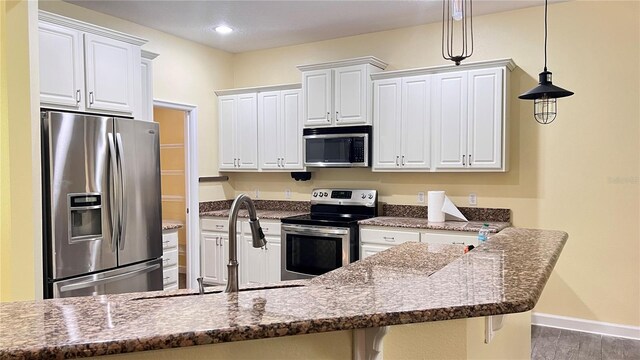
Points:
[[401, 124]]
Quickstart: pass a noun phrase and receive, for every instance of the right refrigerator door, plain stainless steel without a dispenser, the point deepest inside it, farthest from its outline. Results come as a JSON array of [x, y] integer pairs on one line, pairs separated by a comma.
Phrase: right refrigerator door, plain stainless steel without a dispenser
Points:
[[138, 149]]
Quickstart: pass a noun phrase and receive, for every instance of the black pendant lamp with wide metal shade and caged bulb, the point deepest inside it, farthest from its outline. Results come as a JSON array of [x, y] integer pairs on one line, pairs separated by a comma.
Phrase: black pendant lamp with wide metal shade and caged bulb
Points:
[[544, 95]]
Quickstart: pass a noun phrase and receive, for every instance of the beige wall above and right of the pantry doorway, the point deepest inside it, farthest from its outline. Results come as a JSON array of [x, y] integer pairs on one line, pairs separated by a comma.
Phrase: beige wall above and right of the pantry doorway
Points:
[[185, 72]]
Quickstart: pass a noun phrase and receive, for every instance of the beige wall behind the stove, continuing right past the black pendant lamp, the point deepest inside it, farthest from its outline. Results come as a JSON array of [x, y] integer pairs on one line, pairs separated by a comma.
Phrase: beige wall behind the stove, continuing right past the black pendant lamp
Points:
[[579, 174]]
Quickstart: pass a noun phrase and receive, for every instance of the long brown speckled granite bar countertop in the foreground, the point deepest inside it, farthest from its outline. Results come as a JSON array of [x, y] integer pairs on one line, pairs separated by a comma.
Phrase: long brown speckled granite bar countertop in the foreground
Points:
[[409, 283]]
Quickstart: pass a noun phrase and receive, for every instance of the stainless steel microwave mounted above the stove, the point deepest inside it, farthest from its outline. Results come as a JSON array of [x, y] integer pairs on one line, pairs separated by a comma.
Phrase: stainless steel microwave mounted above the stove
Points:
[[337, 147]]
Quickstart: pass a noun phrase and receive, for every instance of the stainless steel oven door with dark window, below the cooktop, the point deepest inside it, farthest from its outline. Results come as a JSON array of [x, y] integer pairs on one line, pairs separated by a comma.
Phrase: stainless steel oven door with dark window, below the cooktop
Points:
[[308, 251]]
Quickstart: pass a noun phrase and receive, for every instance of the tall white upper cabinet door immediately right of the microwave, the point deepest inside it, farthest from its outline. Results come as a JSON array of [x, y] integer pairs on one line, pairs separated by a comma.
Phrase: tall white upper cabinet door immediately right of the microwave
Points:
[[386, 124]]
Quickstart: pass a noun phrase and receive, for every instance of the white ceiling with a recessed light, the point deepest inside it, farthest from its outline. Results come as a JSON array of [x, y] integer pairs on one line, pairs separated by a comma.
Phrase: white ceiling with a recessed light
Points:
[[267, 24]]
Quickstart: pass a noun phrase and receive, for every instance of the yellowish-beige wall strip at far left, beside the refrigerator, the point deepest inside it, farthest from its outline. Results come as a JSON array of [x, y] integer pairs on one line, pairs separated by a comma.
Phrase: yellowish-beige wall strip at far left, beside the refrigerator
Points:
[[20, 239]]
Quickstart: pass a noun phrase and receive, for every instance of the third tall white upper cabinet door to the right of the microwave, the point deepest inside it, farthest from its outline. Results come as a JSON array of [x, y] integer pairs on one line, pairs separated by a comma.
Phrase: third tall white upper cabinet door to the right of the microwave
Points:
[[450, 116]]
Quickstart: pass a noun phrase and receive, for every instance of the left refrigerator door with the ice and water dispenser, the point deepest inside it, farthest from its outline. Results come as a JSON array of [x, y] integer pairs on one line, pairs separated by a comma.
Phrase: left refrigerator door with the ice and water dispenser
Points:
[[77, 185]]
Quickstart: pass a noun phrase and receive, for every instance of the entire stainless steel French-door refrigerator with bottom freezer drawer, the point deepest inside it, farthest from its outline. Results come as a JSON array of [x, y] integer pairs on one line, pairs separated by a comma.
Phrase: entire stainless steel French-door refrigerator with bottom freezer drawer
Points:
[[101, 205]]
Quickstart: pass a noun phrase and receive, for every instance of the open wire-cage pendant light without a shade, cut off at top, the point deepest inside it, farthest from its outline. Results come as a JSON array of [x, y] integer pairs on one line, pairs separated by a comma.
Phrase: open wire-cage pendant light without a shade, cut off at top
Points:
[[457, 27]]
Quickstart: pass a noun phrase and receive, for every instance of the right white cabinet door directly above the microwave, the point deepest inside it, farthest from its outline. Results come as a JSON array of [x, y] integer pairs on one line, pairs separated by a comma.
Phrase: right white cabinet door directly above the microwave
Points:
[[350, 95]]
